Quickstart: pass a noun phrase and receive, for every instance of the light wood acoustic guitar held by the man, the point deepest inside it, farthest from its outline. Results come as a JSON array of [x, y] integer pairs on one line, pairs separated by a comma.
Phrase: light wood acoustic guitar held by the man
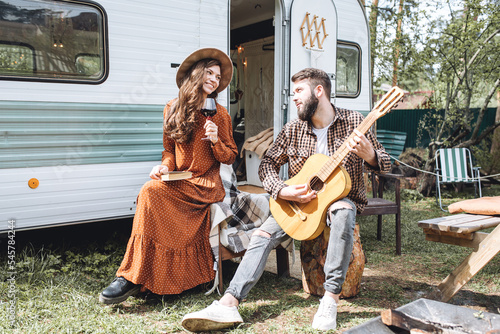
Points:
[[324, 174]]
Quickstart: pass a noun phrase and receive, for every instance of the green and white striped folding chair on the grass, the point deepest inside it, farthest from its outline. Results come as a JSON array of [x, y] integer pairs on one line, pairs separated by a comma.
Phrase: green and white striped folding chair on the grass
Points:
[[454, 165]]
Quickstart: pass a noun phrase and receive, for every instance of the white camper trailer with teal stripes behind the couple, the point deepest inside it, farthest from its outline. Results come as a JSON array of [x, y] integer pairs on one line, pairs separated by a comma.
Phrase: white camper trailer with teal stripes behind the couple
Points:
[[83, 85]]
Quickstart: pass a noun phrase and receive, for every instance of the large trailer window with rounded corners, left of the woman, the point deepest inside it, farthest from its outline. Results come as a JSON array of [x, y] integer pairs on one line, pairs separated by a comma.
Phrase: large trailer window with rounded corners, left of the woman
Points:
[[48, 40]]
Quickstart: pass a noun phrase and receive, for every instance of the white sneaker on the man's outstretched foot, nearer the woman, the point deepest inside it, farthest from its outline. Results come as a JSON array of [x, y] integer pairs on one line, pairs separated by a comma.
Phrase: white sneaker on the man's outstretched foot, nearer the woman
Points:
[[213, 317]]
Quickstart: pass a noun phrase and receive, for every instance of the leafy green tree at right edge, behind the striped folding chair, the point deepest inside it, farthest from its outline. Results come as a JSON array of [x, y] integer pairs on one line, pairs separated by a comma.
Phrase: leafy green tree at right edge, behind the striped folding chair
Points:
[[463, 62]]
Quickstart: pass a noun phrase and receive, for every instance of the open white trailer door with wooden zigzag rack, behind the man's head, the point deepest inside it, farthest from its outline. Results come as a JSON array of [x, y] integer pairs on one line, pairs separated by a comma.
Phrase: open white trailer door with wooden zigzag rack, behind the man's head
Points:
[[313, 41]]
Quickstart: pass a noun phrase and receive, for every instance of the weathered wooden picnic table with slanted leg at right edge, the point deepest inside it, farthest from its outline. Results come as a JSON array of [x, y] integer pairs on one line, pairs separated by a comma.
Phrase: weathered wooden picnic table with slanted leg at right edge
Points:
[[462, 230]]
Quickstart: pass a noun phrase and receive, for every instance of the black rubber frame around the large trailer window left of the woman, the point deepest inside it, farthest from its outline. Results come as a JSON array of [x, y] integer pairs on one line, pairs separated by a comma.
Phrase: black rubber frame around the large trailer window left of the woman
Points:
[[105, 54]]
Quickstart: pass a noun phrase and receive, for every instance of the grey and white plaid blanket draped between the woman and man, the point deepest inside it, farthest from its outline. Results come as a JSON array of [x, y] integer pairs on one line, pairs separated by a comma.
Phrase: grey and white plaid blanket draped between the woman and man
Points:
[[238, 215]]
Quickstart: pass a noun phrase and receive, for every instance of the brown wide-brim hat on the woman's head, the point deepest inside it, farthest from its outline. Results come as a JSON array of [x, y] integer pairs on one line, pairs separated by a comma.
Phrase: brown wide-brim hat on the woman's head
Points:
[[226, 67]]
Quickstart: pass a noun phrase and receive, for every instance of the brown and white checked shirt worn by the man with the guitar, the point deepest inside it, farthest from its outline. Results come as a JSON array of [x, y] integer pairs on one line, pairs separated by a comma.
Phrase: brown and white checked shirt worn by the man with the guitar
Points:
[[296, 142]]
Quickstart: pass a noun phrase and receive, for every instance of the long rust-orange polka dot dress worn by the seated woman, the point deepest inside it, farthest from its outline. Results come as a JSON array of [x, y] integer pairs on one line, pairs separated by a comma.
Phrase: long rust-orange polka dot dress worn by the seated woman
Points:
[[169, 250]]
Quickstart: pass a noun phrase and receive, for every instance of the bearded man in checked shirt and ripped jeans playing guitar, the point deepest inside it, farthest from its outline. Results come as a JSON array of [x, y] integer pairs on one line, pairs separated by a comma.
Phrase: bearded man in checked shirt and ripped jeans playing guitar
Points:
[[321, 128]]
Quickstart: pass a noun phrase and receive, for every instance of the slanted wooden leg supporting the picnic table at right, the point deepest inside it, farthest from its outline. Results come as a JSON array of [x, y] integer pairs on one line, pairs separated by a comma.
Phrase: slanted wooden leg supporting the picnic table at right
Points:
[[487, 249]]
